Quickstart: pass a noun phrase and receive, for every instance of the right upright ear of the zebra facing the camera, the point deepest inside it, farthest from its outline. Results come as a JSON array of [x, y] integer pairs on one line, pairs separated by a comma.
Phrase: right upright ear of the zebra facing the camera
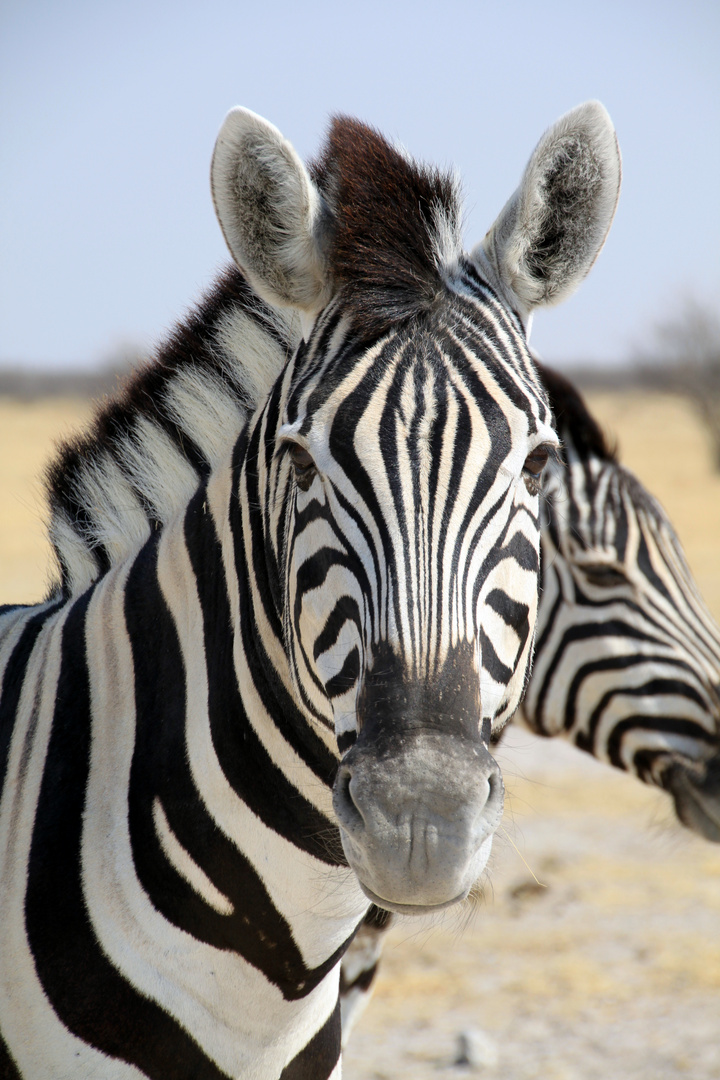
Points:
[[551, 232]]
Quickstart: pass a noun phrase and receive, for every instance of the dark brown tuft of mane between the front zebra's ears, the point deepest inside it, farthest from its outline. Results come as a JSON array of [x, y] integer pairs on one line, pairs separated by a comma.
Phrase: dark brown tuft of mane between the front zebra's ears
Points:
[[395, 226]]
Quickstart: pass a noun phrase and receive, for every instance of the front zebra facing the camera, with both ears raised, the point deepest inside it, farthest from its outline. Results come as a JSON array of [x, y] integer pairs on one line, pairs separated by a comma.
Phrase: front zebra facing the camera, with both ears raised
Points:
[[298, 584]]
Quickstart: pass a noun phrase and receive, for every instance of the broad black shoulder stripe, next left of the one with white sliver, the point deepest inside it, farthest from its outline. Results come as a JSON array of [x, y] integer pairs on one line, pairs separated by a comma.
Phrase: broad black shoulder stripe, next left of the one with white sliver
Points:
[[93, 1001]]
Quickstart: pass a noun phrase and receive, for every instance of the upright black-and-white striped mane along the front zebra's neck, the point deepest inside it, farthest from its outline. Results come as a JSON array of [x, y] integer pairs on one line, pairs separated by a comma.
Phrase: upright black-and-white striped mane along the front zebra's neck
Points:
[[150, 448]]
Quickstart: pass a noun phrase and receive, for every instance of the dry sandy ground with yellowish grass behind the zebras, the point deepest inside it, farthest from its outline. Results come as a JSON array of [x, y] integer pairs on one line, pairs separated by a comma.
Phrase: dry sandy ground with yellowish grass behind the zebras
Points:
[[609, 967]]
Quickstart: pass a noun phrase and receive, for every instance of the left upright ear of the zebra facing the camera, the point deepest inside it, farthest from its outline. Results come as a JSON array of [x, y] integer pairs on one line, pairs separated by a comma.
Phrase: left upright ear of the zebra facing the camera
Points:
[[270, 212]]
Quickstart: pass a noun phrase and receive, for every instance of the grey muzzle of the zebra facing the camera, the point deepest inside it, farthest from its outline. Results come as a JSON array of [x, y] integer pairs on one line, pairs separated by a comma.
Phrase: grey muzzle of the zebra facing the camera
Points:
[[417, 814]]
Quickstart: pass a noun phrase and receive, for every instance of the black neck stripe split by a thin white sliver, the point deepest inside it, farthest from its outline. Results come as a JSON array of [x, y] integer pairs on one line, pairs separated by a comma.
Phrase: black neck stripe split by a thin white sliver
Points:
[[255, 929]]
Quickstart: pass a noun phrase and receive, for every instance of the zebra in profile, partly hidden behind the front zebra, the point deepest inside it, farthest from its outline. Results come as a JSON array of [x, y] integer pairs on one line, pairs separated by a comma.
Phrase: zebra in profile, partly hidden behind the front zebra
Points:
[[628, 657]]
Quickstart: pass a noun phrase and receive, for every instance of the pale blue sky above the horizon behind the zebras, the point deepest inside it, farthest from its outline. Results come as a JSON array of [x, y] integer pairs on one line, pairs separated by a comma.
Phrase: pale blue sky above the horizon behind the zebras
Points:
[[110, 112]]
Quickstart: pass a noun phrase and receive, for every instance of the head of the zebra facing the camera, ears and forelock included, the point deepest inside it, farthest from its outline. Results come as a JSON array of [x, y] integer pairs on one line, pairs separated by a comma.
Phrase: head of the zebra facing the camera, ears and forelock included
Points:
[[402, 455]]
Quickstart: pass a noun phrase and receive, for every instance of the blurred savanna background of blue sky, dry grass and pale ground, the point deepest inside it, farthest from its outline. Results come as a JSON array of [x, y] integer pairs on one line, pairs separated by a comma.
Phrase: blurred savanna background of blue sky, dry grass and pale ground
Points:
[[595, 949]]
